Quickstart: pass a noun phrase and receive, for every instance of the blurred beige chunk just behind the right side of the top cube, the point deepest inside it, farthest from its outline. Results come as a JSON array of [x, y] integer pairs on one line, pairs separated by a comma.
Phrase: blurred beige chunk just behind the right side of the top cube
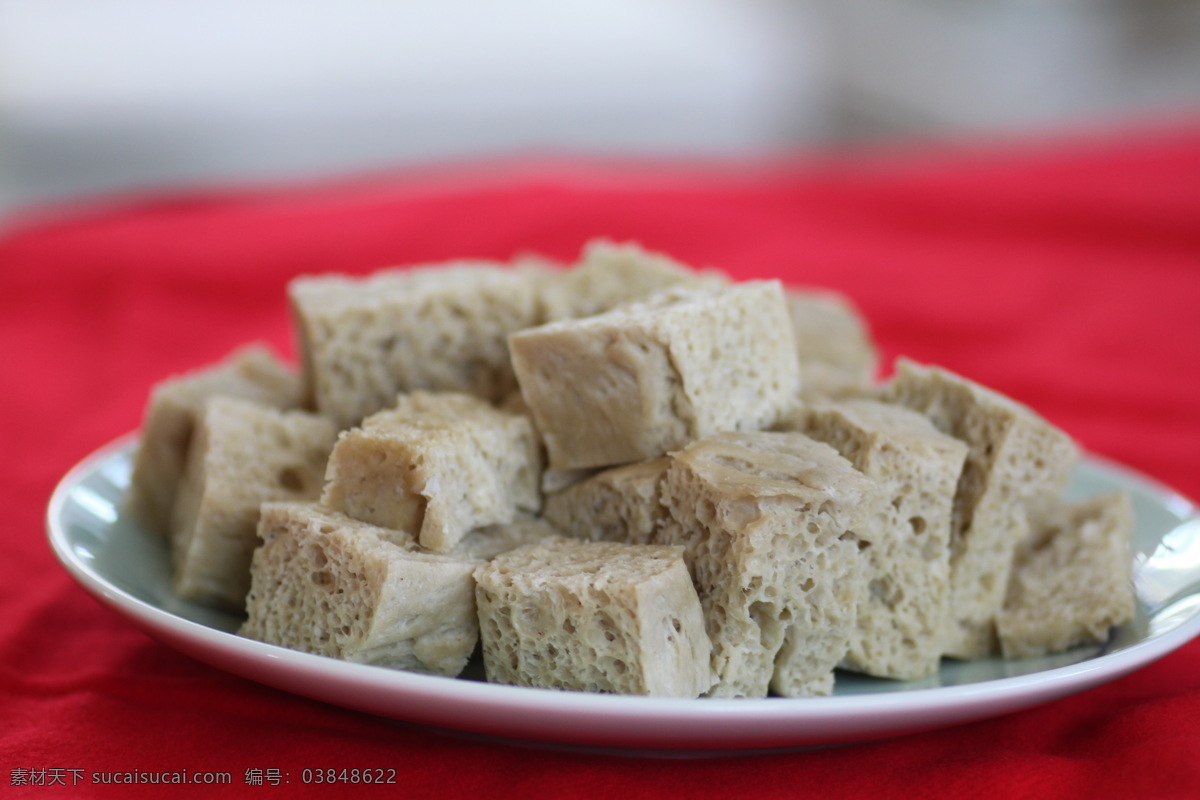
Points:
[[833, 341]]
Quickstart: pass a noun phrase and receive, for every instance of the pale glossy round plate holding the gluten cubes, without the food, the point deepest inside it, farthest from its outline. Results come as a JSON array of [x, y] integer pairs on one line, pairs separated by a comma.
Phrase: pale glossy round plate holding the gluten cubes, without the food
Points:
[[128, 569]]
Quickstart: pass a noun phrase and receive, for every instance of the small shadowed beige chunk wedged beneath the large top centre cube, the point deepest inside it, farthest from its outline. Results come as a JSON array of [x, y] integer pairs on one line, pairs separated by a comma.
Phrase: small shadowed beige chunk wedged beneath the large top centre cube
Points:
[[621, 504]]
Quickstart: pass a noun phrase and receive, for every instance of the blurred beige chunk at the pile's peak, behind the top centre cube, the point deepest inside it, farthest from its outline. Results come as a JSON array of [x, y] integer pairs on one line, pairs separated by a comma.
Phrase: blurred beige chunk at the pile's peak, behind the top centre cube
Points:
[[609, 275]]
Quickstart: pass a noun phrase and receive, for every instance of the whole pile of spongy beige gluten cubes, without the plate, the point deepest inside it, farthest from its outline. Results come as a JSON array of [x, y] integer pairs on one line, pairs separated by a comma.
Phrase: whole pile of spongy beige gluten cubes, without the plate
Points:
[[622, 476]]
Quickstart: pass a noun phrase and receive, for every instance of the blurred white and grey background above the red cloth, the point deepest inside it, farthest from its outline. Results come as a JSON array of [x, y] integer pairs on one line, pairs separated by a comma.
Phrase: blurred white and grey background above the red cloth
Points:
[[103, 98]]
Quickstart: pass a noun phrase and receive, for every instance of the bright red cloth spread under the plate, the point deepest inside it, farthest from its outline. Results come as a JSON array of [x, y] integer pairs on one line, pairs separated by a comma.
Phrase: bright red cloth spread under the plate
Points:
[[1067, 276]]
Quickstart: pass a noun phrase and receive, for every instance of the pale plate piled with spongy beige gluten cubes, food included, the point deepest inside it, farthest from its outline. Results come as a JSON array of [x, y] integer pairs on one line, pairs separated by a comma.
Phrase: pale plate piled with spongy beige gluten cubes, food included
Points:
[[682, 558]]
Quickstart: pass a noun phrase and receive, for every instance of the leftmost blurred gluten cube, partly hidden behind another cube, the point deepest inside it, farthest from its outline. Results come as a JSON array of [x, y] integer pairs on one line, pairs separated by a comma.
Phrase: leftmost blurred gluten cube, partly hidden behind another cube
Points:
[[171, 417]]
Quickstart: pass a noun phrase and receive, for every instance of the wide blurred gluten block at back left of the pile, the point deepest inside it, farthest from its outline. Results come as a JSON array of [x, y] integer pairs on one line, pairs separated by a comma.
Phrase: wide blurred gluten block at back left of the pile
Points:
[[434, 328]]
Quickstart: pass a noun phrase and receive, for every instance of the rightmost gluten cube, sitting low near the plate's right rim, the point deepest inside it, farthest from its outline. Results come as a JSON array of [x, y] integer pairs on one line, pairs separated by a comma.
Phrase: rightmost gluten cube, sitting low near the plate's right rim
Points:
[[1072, 578]]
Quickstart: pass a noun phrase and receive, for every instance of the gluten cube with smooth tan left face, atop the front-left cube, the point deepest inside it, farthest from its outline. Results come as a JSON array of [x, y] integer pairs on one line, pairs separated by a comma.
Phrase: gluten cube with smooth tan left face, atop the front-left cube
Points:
[[437, 466]]
